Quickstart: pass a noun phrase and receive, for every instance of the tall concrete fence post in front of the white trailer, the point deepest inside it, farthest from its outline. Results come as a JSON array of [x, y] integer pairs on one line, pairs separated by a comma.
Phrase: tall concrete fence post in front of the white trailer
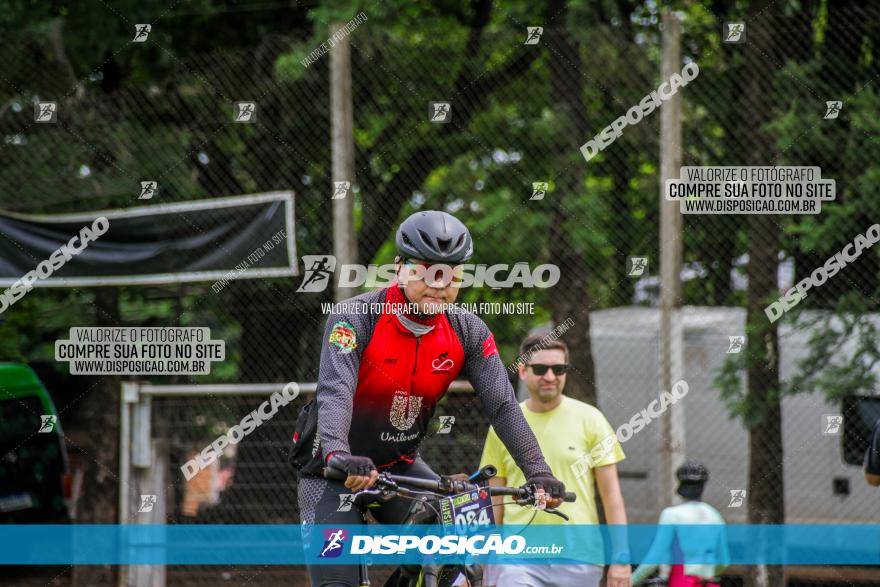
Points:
[[672, 436]]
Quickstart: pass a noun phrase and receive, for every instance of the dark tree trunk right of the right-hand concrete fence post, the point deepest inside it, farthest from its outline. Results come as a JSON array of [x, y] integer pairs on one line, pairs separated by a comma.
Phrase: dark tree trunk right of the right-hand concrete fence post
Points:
[[766, 504]]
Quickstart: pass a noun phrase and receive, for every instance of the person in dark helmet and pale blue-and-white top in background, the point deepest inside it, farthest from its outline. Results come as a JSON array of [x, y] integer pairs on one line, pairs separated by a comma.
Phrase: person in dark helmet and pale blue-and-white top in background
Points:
[[692, 477]]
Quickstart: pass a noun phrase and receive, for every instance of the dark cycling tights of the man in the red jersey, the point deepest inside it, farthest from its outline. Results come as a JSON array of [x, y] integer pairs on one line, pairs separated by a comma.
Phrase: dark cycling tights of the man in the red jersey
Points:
[[318, 504]]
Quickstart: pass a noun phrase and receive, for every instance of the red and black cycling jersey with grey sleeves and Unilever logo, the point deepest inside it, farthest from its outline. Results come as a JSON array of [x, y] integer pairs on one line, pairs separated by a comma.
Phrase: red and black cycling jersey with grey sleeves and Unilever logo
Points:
[[379, 383]]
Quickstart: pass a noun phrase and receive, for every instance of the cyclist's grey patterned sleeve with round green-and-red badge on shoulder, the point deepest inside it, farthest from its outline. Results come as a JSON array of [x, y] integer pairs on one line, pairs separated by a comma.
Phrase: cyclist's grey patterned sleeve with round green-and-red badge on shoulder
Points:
[[337, 382]]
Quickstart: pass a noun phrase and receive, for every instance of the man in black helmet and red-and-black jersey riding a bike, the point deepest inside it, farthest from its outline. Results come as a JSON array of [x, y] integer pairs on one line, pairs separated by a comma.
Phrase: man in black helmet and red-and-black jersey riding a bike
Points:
[[389, 357]]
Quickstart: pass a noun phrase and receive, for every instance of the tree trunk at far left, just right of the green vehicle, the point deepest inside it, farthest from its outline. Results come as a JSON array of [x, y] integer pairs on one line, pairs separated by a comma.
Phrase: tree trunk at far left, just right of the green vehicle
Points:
[[100, 493]]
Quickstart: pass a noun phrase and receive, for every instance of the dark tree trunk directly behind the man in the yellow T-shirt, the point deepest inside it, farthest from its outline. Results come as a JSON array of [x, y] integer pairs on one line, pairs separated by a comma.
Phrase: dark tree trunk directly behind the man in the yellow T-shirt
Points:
[[570, 298]]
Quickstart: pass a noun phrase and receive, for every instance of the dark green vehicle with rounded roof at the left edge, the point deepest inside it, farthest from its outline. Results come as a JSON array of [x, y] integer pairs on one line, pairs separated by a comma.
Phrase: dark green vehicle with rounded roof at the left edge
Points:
[[35, 477]]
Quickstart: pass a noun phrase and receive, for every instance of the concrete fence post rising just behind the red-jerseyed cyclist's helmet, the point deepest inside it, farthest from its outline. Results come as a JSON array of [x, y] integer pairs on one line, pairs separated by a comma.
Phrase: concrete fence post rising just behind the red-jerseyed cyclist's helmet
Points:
[[341, 108]]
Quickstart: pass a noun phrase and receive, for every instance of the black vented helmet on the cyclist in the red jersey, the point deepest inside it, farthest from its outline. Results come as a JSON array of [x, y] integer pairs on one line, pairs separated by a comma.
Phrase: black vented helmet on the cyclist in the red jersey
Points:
[[435, 236]]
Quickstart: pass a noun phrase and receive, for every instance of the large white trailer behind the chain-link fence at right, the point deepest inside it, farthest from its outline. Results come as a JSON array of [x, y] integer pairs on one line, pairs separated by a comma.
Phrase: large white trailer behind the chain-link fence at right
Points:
[[820, 487]]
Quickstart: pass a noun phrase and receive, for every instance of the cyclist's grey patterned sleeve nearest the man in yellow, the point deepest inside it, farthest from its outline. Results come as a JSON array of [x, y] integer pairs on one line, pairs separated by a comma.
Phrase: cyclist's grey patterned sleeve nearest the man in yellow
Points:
[[487, 375]]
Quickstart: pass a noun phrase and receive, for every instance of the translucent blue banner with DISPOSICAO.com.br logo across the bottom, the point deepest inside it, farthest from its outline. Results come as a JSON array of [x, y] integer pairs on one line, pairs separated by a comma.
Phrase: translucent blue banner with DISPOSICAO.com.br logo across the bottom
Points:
[[382, 544]]
